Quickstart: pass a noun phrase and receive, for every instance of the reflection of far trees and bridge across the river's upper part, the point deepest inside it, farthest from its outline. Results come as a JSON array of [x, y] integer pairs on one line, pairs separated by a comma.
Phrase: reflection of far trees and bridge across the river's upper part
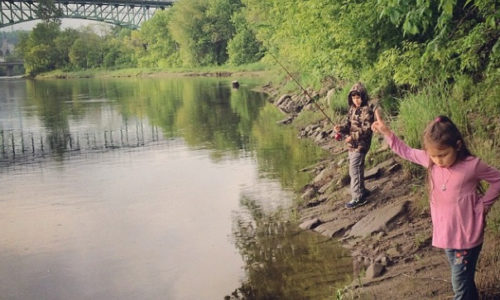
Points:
[[54, 117]]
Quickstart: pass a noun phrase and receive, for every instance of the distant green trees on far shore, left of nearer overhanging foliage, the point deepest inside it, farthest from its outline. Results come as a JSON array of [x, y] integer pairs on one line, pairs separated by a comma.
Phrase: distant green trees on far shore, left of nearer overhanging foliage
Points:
[[191, 33]]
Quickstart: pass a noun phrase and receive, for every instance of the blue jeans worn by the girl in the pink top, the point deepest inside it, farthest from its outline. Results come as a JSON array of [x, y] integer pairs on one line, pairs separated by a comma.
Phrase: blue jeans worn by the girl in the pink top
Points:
[[463, 268]]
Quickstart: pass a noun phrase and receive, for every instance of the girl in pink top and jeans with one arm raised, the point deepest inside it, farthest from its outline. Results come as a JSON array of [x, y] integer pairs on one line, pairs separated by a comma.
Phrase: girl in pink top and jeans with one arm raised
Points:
[[458, 210]]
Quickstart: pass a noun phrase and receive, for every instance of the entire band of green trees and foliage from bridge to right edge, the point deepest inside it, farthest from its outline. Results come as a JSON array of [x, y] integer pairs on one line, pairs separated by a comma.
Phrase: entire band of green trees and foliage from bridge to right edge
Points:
[[400, 42]]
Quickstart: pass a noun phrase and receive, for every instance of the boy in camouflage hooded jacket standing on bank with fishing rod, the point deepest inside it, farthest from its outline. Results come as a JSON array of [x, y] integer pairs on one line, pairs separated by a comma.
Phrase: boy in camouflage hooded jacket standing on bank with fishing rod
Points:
[[358, 137]]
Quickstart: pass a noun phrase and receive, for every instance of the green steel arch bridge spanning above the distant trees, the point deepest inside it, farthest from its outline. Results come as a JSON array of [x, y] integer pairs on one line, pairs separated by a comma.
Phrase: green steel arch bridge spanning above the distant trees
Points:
[[127, 13]]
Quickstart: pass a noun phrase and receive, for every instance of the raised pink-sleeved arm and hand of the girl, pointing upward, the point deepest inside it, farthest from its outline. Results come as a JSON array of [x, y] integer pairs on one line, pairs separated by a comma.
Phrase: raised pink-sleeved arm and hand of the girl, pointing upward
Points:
[[397, 146]]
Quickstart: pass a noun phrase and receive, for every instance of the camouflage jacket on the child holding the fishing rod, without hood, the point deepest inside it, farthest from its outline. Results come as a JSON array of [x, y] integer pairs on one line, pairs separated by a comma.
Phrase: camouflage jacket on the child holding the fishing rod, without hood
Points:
[[358, 126]]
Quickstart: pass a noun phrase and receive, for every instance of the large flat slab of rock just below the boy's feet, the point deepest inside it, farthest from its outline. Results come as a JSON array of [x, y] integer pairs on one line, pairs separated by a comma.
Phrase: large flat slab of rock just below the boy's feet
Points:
[[377, 220]]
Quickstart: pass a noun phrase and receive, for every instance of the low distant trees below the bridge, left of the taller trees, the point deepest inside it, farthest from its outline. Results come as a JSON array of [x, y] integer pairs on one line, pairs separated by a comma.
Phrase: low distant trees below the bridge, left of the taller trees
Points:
[[47, 48]]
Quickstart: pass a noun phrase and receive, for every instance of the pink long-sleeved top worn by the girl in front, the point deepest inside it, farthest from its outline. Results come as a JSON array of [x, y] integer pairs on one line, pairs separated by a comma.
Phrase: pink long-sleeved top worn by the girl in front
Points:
[[458, 212]]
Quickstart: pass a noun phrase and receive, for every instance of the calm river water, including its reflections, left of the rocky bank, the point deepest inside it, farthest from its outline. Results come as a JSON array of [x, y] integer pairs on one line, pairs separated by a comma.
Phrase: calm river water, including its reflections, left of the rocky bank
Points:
[[171, 188]]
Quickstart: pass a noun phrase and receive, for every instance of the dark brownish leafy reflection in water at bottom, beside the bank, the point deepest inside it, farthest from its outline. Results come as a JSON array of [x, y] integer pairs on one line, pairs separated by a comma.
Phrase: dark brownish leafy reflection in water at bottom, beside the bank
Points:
[[282, 262]]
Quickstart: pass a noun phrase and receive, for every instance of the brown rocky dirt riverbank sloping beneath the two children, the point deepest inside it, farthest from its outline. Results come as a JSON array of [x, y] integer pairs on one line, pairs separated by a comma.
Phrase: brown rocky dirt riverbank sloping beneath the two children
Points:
[[390, 237]]
